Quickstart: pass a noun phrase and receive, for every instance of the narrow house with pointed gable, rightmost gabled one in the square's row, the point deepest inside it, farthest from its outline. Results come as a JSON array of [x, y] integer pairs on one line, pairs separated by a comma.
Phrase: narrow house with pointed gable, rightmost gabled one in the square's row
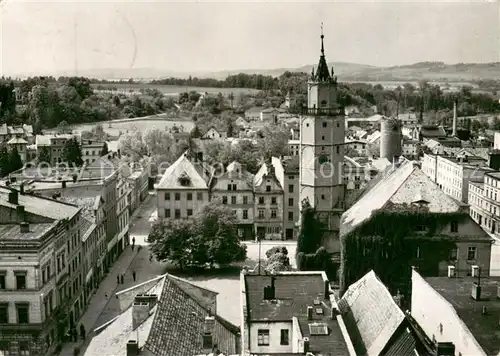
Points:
[[268, 216]]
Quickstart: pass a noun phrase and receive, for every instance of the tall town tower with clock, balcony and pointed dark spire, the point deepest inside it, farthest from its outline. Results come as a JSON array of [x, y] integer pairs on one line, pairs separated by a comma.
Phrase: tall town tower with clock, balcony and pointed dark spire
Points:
[[322, 135]]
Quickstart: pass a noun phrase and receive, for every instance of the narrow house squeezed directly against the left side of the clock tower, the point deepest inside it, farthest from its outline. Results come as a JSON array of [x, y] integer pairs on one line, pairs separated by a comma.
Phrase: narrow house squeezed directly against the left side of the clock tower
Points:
[[287, 172]]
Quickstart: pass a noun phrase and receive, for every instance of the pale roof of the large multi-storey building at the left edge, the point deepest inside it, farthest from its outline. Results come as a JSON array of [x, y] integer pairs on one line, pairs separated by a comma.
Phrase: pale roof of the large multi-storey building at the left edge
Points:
[[45, 207]]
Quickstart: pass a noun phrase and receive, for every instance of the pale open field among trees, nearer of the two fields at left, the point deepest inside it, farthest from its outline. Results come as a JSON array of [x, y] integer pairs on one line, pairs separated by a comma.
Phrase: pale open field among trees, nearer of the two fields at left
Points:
[[114, 128]]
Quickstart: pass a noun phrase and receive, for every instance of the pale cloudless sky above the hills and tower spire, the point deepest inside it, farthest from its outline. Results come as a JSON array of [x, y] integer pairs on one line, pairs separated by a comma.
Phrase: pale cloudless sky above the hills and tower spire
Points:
[[50, 36]]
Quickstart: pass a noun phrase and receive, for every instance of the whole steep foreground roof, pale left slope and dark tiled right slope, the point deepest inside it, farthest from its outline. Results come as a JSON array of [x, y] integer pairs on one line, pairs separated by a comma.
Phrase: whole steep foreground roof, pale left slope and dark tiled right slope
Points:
[[174, 327]]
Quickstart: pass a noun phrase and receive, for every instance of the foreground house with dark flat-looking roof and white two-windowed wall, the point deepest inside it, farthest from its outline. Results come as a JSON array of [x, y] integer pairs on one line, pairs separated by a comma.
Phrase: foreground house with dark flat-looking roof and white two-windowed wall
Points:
[[291, 313]]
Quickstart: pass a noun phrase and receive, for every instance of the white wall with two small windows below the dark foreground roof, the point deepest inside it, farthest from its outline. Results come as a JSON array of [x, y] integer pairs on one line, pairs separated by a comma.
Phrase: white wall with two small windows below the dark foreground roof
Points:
[[274, 337]]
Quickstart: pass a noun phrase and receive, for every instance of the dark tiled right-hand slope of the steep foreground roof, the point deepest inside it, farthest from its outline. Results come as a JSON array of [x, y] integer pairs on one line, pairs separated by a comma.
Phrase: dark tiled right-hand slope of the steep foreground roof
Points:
[[179, 325]]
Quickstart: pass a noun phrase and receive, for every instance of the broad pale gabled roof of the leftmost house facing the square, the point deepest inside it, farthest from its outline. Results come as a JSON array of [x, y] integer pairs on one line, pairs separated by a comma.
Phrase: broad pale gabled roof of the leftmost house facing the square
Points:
[[197, 174]]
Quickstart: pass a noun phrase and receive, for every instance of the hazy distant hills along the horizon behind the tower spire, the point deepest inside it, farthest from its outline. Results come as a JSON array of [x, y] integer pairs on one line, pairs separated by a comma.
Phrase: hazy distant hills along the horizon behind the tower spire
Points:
[[434, 71]]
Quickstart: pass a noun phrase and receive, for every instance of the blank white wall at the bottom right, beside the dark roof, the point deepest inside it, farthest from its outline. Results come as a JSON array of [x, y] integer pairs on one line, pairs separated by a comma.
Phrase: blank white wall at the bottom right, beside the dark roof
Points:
[[431, 310]]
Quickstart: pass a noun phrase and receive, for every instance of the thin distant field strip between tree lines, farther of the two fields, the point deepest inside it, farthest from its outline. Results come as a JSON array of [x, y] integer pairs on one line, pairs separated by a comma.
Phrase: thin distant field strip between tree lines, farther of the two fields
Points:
[[173, 89]]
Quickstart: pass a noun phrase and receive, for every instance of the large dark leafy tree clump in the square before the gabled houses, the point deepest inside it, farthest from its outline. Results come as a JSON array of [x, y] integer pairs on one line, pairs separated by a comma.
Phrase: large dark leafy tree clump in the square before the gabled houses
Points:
[[207, 239]]
